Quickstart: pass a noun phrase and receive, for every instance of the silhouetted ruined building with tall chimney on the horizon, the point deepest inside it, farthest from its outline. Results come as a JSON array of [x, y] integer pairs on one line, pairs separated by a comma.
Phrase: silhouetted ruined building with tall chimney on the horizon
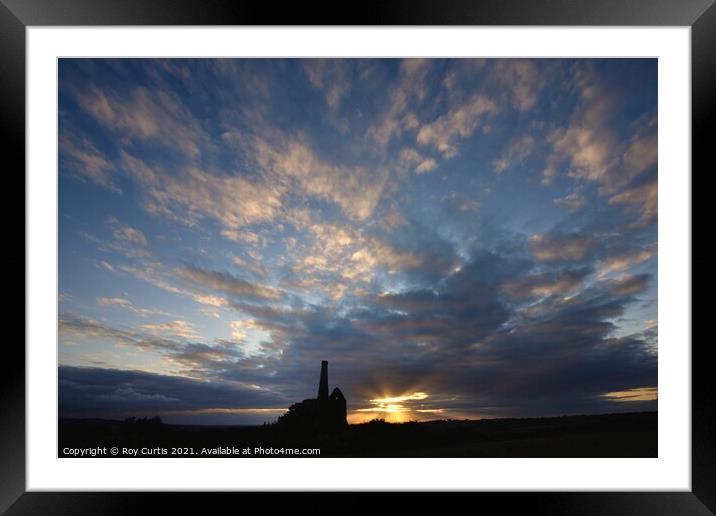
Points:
[[324, 414]]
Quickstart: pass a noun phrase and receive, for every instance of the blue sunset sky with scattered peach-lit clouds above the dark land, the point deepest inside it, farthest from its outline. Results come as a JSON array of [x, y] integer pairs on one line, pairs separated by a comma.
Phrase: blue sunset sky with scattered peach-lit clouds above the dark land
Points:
[[459, 238]]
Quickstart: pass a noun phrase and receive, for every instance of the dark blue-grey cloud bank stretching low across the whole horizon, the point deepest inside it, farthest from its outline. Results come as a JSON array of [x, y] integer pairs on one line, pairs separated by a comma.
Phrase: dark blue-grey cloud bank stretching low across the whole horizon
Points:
[[497, 337]]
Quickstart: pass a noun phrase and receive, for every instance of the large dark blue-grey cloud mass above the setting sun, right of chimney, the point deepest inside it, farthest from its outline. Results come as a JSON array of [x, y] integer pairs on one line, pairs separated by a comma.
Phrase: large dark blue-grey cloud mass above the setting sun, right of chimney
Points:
[[462, 334]]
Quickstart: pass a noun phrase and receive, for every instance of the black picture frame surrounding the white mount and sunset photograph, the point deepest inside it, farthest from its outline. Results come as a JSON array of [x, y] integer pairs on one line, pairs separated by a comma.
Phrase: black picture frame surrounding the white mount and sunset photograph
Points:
[[17, 15]]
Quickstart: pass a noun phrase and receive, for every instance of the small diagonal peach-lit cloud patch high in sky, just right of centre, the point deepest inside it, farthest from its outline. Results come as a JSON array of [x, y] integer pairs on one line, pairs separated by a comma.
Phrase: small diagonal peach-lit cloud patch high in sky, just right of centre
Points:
[[458, 123]]
